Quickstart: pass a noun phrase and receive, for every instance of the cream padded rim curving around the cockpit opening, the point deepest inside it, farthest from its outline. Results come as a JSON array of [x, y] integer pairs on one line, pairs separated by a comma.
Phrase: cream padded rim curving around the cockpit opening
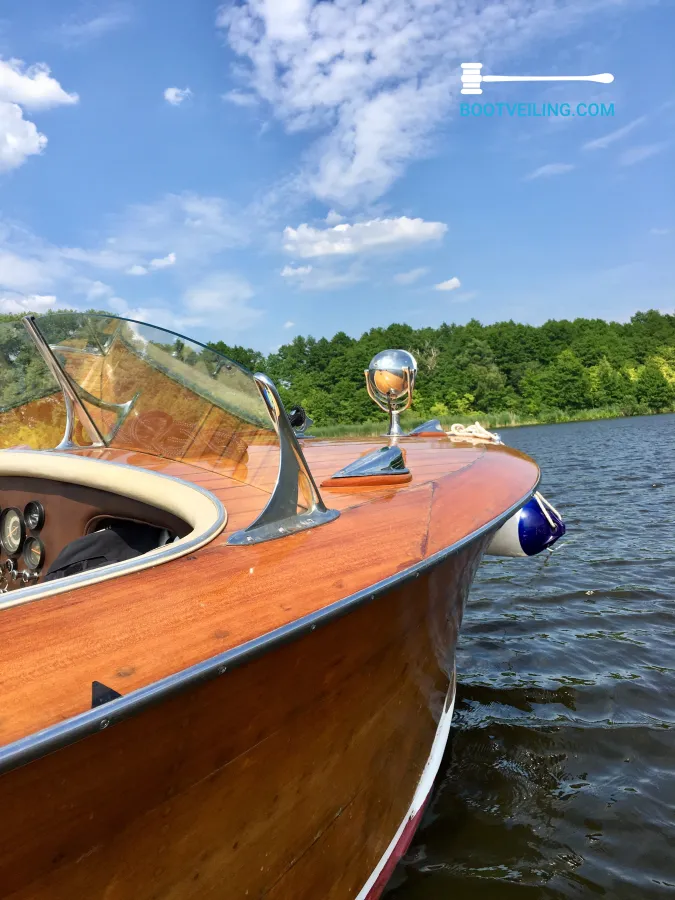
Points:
[[199, 508]]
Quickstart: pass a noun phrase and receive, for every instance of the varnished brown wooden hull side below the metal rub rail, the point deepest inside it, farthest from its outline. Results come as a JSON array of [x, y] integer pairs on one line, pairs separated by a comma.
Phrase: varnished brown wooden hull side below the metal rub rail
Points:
[[287, 776]]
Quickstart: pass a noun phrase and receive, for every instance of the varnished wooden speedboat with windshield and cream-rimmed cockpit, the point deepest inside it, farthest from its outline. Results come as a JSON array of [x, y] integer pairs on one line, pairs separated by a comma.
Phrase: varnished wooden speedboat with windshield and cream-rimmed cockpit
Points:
[[219, 678]]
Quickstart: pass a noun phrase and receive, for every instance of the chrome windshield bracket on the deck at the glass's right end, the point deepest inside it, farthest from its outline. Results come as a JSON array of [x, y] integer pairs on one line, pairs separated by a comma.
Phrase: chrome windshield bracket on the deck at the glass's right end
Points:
[[281, 516]]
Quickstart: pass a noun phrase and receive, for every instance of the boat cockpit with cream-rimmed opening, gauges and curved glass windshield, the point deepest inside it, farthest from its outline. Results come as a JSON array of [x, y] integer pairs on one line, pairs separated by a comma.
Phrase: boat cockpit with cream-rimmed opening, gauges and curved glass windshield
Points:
[[87, 401]]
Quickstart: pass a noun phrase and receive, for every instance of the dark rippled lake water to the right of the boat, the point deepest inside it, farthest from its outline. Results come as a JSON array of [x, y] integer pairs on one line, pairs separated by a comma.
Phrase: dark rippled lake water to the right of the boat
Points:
[[559, 778]]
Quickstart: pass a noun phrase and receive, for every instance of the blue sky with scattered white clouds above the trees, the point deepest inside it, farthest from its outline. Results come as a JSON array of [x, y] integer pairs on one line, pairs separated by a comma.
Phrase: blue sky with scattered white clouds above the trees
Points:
[[278, 167]]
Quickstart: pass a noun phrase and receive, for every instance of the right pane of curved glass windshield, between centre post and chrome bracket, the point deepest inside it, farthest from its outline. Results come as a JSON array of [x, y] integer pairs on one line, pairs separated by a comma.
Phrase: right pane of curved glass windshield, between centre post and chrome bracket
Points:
[[146, 388]]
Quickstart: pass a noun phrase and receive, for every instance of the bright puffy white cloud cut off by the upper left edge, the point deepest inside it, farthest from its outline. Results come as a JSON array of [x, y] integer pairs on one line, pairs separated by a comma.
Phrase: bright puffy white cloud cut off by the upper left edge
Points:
[[22, 88]]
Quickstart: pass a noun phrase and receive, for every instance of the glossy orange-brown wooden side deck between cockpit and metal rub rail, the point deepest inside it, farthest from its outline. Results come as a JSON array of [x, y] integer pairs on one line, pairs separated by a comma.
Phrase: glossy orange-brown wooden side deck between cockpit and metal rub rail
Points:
[[151, 625]]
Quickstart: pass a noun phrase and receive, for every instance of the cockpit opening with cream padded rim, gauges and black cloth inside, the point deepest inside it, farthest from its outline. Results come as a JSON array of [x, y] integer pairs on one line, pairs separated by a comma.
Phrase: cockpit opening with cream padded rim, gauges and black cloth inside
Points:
[[68, 520]]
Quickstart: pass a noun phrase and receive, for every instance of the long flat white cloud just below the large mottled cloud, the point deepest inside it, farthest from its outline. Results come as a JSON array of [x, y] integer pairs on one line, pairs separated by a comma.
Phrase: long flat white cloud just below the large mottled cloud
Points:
[[362, 237]]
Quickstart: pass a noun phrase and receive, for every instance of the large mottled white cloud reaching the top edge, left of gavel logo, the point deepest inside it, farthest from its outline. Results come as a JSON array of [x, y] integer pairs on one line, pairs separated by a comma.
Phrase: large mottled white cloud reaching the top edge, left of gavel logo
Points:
[[375, 79]]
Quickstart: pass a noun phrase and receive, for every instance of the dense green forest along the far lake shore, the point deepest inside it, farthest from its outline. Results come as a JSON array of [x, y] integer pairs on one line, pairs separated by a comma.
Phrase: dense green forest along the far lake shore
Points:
[[501, 374]]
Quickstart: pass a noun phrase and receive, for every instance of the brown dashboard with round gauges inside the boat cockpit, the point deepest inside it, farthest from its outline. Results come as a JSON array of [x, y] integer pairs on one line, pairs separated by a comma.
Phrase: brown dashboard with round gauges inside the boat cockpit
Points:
[[39, 517]]
